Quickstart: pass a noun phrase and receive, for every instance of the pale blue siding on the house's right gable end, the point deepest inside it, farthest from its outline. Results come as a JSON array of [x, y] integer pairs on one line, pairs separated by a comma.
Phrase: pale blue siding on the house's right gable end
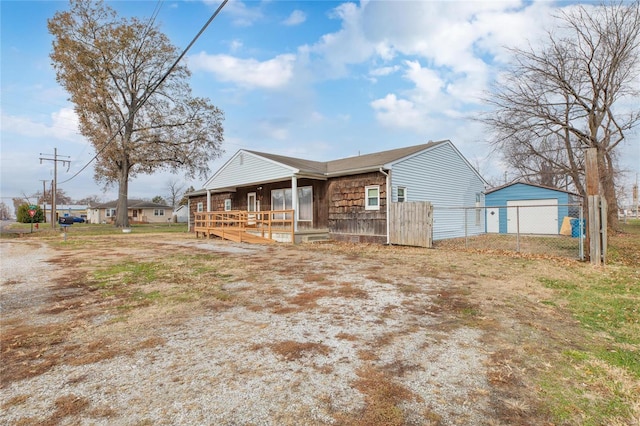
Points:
[[441, 176]]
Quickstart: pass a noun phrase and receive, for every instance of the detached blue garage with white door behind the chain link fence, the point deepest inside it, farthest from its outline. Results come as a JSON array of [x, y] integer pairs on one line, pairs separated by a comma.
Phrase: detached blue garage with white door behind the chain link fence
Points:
[[528, 208]]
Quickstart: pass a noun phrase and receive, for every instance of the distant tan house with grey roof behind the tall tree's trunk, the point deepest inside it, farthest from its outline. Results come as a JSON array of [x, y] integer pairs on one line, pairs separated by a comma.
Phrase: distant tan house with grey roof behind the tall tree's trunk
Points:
[[139, 211]]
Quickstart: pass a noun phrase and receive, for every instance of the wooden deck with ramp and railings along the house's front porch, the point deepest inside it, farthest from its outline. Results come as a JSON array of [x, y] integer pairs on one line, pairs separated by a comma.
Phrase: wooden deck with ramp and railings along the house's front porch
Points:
[[263, 227]]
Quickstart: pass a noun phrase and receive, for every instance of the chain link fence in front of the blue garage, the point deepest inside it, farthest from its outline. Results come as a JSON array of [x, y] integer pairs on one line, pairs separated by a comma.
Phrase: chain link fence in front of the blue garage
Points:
[[553, 229]]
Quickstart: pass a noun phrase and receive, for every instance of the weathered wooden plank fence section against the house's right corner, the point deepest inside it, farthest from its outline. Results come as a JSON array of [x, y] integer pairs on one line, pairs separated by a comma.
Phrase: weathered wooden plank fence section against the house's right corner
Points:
[[411, 224]]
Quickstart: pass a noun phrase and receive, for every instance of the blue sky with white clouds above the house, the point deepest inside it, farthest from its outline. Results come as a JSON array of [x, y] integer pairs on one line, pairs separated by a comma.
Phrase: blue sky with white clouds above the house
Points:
[[313, 79]]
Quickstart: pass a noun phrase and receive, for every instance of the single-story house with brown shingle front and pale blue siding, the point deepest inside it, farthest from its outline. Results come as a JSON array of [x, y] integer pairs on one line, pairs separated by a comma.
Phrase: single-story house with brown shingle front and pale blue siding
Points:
[[348, 199]]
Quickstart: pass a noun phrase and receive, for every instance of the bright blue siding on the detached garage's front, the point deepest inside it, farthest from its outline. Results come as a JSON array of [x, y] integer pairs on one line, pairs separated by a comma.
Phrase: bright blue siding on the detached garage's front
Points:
[[523, 191]]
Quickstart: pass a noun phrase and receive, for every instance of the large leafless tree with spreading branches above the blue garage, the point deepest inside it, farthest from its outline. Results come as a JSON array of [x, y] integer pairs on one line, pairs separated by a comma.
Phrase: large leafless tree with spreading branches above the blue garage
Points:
[[577, 91]]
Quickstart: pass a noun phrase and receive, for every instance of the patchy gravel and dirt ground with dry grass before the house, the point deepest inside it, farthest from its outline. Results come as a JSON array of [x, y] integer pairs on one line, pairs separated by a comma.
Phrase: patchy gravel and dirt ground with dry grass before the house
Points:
[[171, 330]]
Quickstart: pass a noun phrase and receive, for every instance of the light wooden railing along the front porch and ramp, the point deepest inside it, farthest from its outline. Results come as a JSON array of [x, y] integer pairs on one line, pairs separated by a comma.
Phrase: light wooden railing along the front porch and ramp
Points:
[[263, 223]]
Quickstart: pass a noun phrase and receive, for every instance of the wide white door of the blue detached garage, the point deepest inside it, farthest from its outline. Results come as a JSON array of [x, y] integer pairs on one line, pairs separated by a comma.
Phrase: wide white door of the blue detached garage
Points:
[[534, 216]]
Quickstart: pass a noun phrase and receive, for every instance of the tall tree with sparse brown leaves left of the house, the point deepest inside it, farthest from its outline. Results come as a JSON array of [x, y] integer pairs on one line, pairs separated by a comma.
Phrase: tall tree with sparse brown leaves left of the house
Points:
[[112, 67]]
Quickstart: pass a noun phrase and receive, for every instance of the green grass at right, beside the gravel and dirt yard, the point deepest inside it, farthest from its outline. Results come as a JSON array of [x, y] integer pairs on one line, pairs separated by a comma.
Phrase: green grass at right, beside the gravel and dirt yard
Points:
[[597, 384]]
